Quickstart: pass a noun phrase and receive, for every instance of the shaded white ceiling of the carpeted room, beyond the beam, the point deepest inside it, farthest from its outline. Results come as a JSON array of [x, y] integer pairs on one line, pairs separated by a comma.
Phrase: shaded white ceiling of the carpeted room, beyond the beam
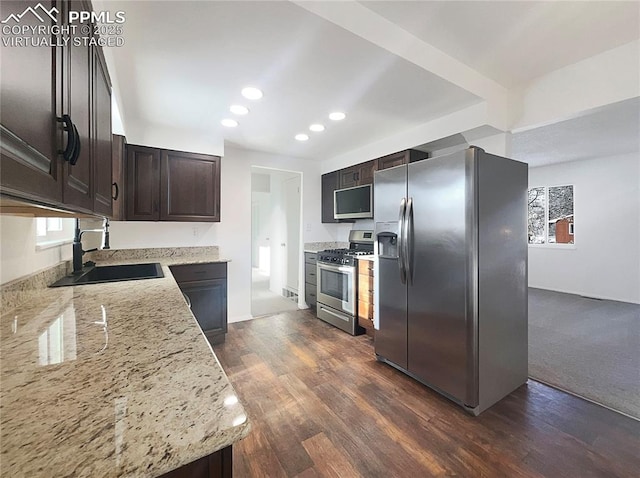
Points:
[[610, 131]]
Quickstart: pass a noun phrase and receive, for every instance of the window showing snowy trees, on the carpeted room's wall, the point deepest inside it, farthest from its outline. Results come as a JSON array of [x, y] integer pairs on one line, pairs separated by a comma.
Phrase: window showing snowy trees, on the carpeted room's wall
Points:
[[550, 215]]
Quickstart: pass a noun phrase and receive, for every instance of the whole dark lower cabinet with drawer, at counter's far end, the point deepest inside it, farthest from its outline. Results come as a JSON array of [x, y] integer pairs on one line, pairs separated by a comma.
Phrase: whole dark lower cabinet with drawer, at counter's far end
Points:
[[204, 287]]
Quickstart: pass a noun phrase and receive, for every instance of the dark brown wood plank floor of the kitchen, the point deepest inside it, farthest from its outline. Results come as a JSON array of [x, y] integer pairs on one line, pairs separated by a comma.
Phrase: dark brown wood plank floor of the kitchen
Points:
[[321, 405]]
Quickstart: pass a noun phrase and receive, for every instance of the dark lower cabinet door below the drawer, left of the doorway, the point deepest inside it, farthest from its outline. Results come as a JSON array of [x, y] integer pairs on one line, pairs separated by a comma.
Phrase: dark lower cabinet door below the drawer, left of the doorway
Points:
[[209, 306]]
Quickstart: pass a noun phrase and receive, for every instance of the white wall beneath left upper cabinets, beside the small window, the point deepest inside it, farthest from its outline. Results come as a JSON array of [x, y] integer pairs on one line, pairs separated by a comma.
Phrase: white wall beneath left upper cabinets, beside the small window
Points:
[[18, 252]]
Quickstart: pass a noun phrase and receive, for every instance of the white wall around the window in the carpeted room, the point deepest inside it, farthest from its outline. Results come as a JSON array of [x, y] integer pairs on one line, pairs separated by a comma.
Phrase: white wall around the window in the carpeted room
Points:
[[605, 262]]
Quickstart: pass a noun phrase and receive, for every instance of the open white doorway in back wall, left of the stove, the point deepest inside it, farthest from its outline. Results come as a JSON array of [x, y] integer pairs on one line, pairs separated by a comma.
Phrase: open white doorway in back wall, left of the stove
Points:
[[275, 240]]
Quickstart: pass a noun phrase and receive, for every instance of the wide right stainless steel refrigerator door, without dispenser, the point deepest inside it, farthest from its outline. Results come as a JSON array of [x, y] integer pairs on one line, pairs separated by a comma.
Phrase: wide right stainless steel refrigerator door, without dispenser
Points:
[[441, 300]]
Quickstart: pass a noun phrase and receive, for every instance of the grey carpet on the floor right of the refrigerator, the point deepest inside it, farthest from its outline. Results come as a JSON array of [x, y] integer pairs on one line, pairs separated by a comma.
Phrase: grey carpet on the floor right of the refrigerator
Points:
[[587, 347]]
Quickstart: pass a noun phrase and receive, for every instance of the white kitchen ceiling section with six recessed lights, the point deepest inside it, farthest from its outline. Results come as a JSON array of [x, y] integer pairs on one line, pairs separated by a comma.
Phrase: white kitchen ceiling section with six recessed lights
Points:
[[185, 64]]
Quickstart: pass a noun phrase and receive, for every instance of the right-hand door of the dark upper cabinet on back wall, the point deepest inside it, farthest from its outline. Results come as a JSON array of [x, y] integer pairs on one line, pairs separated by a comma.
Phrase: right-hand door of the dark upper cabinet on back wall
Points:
[[190, 187]]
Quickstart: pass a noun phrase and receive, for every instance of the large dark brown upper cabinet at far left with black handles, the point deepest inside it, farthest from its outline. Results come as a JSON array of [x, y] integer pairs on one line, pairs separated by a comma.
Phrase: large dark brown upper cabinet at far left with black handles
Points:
[[56, 118]]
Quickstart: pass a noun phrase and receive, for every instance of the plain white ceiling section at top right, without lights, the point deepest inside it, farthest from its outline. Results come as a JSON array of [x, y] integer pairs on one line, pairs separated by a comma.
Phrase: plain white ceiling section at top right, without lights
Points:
[[513, 42]]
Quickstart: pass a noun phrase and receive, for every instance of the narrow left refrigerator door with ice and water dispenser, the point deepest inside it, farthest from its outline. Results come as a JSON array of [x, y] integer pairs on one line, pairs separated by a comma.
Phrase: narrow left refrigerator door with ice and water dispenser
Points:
[[391, 336]]
